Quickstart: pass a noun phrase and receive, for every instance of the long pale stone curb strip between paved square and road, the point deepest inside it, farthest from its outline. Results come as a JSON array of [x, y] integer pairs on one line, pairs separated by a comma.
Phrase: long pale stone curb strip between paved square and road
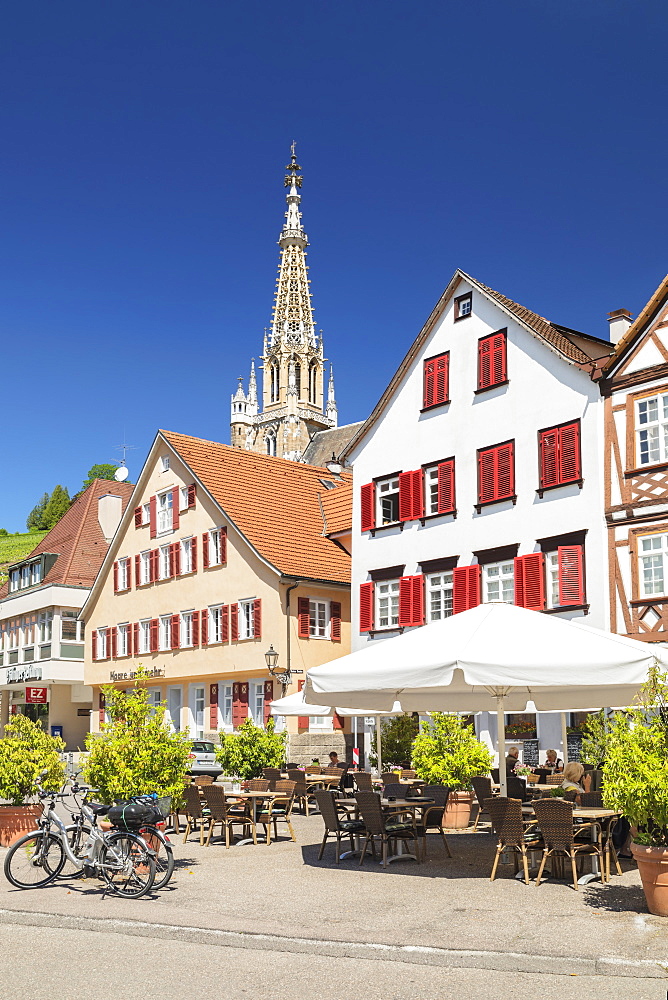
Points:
[[496, 961]]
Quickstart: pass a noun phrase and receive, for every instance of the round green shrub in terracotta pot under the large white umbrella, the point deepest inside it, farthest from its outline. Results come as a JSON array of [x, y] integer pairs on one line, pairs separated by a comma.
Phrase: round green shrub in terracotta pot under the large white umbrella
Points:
[[447, 752]]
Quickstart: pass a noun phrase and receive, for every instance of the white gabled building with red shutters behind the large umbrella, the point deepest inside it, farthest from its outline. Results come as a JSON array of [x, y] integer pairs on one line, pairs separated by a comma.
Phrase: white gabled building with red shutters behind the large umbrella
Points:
[[478, 476]]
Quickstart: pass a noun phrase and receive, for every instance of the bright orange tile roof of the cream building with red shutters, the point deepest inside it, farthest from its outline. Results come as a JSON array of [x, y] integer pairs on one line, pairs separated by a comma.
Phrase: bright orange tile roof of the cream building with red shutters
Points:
[[274, 502]]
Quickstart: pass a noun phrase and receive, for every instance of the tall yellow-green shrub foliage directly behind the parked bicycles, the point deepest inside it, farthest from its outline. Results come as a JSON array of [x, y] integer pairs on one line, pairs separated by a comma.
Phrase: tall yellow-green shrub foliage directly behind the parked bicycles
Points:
[[136, 752]]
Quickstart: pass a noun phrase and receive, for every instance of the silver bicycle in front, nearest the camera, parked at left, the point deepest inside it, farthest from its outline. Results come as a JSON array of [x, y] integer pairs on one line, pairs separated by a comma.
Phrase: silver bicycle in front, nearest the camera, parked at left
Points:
[[122, 859]]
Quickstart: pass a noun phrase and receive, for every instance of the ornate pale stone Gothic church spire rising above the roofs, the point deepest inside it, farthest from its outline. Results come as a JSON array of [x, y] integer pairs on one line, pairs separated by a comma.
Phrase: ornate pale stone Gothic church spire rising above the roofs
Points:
[[293, 404]]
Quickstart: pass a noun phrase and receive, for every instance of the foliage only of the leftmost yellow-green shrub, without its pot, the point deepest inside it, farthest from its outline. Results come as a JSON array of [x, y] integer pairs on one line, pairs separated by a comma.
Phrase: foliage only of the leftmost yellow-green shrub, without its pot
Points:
[[26, 752]]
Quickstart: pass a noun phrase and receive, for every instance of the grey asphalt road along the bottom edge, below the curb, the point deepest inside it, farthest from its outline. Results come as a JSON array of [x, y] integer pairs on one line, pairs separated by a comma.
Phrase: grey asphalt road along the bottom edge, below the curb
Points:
[[46, 962]]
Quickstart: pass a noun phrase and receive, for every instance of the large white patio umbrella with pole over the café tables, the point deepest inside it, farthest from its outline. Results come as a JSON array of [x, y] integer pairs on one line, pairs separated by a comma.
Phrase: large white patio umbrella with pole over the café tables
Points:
[[495, 656]]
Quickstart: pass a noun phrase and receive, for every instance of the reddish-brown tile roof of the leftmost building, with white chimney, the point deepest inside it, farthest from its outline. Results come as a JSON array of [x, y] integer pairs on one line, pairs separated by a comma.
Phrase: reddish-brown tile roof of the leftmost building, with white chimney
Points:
[[77, 538]]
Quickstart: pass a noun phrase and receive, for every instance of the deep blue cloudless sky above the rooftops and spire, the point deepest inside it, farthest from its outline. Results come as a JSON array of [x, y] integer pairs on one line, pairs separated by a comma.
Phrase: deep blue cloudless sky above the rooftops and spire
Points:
[[141, 195]]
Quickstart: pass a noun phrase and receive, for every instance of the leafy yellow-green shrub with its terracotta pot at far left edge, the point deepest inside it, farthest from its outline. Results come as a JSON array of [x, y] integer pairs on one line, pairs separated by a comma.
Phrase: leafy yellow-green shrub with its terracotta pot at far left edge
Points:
[[26, 752]]
